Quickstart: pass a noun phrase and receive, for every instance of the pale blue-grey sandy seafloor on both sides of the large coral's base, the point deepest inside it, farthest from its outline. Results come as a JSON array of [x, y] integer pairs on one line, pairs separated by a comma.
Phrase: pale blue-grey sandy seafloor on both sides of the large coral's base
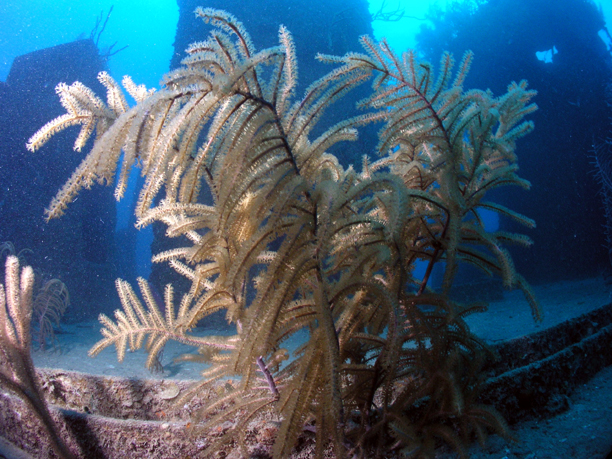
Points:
[[584, 431]]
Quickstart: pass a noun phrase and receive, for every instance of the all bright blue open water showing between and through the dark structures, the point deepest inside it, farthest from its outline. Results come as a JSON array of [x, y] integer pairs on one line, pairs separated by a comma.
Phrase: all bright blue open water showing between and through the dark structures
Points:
[[148, 30]]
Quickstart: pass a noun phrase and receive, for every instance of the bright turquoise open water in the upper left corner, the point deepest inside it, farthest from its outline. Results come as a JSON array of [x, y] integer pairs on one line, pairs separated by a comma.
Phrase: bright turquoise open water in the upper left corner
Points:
[[146, 27]]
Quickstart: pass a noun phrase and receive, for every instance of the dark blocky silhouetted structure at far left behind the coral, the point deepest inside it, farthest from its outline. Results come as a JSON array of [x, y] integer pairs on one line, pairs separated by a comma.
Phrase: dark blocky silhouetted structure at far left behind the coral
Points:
[[79, 248]]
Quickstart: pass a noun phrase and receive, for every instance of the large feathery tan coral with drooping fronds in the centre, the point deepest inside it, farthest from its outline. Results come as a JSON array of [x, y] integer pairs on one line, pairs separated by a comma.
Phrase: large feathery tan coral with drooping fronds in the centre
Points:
[[290, 244]]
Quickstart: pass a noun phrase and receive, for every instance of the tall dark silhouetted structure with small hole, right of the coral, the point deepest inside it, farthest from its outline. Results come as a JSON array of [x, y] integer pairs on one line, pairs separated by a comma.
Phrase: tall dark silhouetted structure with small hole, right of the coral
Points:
[[505, 36]]
